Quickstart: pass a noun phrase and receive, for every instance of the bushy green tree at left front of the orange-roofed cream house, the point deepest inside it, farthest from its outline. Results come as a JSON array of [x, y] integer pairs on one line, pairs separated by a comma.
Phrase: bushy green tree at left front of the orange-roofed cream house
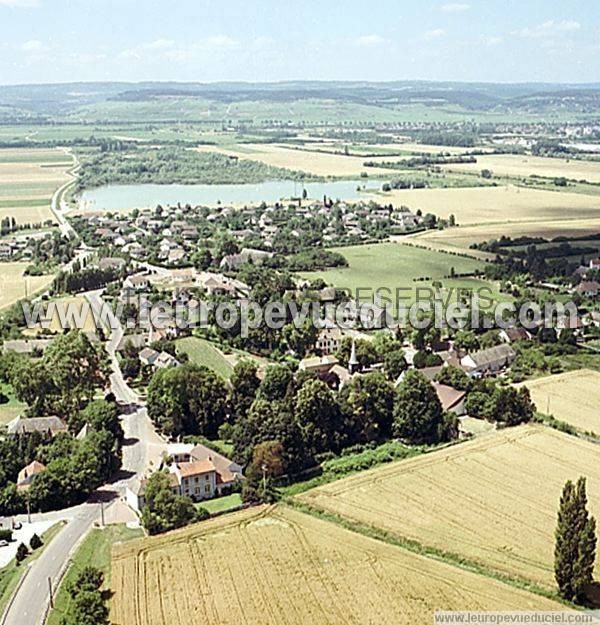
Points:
[[164, 510]]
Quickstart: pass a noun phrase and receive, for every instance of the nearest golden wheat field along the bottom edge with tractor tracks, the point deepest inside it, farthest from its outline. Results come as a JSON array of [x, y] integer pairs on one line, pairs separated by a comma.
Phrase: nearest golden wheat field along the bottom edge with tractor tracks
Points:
[[278, 566]]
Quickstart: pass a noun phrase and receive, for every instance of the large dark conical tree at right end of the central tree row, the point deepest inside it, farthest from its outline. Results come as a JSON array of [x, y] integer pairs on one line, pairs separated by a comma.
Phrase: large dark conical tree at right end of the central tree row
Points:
[[418, 413]]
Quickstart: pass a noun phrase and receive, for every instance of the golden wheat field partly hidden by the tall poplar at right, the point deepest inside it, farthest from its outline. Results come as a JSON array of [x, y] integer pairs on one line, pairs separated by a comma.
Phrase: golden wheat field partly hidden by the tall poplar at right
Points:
[[492, 500]]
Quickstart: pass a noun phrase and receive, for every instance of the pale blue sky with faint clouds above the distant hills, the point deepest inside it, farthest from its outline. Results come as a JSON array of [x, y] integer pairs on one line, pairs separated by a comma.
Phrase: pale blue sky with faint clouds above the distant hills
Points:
[[273, 40]]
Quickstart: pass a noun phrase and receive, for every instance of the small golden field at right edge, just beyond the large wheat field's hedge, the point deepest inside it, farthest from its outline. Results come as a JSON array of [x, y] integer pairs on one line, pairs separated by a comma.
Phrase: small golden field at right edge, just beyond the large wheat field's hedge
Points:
[[573, 397]]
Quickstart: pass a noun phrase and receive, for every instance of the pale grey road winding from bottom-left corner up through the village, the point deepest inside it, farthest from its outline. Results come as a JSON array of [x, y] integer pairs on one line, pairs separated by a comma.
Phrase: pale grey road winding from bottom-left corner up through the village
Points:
[[142, 446]]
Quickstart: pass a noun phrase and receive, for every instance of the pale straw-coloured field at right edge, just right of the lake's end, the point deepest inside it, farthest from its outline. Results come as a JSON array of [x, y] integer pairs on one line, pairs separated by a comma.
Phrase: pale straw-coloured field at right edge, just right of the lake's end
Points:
[[478, 205]]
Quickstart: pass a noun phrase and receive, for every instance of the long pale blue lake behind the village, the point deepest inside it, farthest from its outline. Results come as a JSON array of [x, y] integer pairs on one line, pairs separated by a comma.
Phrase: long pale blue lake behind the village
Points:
[[123, 197]]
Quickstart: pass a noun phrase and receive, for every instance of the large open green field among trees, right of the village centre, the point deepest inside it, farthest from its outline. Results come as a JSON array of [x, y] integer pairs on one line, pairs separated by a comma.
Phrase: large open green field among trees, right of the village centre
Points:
[[399, 270]]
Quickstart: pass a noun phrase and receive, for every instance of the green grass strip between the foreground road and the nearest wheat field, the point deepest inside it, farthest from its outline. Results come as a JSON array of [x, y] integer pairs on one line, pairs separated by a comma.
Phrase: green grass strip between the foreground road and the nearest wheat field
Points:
[[94, 551]]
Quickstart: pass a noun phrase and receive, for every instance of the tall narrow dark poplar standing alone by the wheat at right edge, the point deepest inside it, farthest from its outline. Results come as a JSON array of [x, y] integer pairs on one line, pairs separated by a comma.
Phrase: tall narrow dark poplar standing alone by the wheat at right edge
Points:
[[575, 547]]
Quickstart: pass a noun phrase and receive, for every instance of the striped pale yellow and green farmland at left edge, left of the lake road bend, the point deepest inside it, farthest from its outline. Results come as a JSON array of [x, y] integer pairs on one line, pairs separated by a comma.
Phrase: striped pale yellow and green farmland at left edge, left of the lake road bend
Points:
[[28, 179]]
